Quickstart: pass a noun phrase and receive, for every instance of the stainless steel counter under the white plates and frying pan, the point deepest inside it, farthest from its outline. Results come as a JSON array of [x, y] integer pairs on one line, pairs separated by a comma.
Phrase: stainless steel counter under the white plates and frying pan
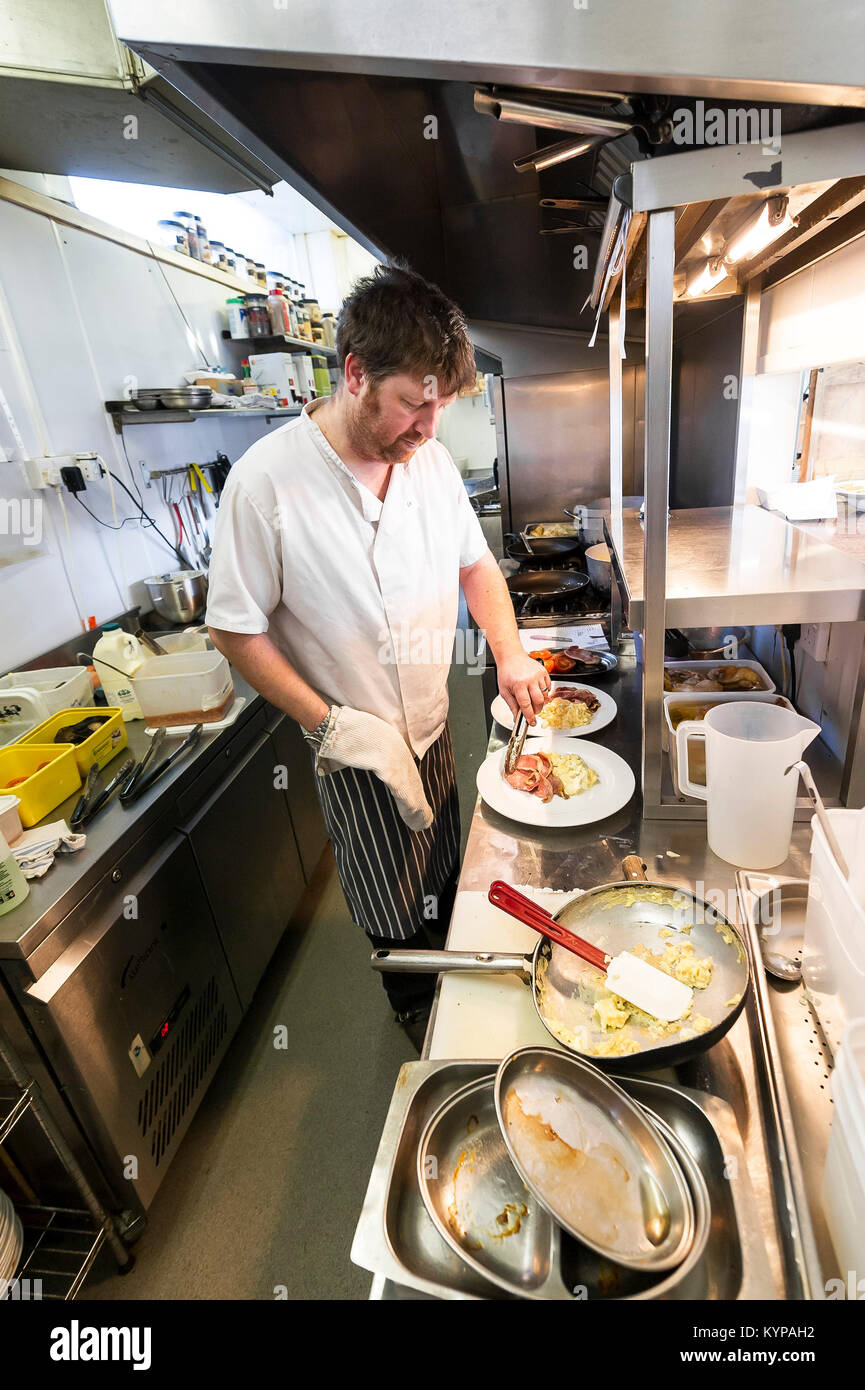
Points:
[[677, 853]]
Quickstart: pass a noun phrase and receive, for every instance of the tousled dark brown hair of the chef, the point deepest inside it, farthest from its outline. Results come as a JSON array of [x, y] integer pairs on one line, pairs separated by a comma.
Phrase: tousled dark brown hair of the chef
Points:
[[396, 320]]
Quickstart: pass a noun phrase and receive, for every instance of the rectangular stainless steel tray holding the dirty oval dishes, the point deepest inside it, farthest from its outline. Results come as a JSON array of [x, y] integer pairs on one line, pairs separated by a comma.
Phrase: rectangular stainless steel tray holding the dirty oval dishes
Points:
[[397, 1239]]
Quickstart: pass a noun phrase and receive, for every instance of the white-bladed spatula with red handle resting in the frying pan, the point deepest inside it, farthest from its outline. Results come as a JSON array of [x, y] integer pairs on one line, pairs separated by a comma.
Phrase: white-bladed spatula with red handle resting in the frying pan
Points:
[[628, 976]]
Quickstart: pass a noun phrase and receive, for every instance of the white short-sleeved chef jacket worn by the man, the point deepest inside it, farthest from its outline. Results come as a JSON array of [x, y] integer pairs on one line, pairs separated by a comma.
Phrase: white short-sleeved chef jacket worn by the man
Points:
[[361, 596]]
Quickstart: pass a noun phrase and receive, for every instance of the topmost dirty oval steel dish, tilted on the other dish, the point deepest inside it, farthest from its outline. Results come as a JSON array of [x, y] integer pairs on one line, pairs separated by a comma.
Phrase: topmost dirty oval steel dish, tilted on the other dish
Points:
[[595, 1160]]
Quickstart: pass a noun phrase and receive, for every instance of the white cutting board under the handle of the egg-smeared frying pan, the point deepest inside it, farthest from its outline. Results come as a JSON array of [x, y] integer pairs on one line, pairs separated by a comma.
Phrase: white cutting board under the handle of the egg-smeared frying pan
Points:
[[490, 1015]]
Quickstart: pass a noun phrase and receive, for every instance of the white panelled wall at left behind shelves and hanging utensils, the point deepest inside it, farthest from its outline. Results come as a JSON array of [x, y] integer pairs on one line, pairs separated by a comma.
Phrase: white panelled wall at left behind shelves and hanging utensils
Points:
[[88, 315]]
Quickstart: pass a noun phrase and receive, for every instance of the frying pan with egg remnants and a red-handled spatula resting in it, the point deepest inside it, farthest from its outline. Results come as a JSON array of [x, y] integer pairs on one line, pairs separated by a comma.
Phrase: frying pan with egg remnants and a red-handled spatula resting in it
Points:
[[617, 917]]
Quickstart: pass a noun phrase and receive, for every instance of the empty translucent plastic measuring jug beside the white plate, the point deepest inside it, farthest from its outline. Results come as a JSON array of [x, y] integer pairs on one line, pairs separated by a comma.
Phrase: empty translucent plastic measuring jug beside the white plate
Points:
[[750, 800]]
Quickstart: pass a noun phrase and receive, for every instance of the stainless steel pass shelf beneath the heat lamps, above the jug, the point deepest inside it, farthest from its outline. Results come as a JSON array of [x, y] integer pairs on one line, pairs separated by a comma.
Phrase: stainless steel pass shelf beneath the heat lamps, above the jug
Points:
[[742, 565]]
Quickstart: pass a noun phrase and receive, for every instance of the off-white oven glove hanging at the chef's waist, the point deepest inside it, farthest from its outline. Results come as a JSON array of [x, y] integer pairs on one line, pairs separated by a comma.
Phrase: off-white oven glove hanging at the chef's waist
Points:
[[359, 740]]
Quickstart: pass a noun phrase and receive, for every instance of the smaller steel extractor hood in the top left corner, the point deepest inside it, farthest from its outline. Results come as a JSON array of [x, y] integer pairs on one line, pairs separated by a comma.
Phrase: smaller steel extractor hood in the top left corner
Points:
[[76, 101]]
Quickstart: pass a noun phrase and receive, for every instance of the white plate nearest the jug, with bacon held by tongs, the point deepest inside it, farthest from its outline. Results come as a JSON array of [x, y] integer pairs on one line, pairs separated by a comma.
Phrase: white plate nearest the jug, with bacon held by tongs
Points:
[[611, 793]]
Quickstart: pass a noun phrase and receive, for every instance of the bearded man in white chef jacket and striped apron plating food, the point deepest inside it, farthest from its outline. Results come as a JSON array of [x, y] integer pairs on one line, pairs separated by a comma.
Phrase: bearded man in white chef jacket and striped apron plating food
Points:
[[341, 543]]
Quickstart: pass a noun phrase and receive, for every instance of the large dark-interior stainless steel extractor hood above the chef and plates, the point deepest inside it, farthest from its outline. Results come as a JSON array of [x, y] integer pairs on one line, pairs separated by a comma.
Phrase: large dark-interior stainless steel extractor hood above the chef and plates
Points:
[[375, 119]]
